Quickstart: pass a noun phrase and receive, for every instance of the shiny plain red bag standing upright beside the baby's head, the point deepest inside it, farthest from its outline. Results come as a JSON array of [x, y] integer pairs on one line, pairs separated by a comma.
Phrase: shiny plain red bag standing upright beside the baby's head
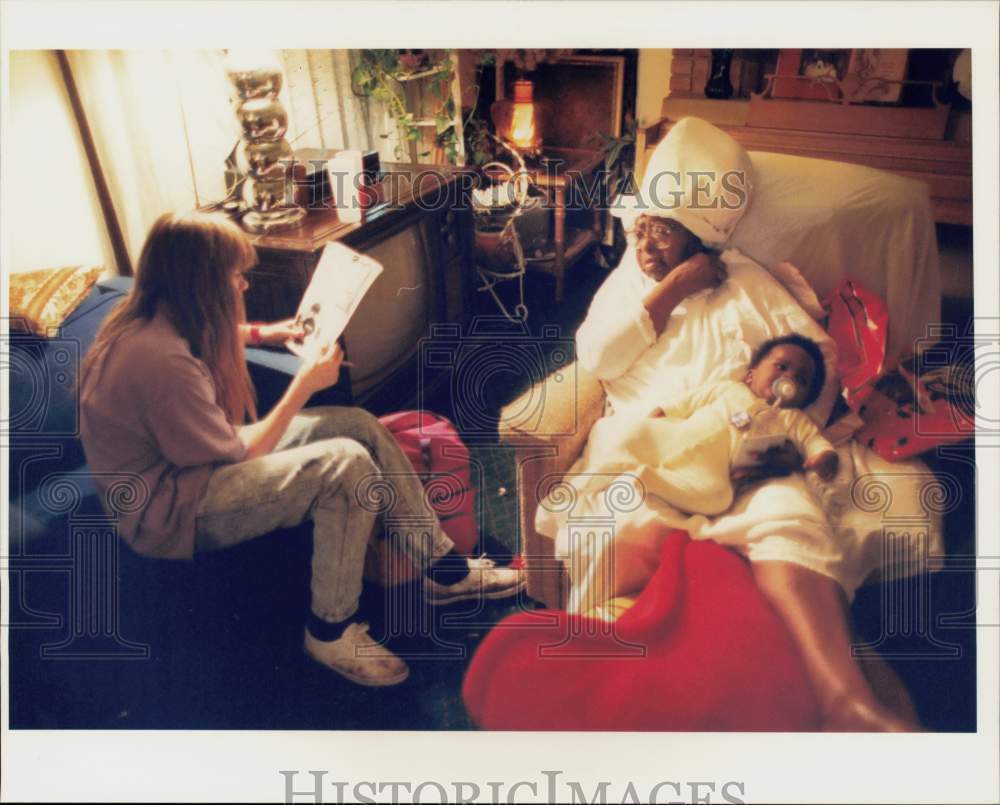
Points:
[[859, 325]]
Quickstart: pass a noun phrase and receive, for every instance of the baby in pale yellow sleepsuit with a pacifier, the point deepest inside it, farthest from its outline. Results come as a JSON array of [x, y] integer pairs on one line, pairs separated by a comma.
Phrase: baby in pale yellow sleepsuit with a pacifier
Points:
[[687, 452]]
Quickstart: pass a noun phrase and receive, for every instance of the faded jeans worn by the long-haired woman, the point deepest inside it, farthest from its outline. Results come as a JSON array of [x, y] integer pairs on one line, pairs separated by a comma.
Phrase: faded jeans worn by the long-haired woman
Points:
[[341, 469]]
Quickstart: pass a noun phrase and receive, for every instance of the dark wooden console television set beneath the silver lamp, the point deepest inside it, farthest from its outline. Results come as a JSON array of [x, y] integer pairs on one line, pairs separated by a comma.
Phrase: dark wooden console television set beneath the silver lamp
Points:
[[419, 229]]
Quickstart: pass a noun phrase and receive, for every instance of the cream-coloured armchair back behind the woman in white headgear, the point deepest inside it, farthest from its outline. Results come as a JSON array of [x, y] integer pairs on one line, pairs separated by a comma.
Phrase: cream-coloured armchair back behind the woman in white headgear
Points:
[[834, 221]]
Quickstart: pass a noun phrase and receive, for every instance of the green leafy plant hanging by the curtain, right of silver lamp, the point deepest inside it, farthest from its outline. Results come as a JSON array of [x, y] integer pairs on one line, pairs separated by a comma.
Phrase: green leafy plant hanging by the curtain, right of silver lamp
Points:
[[381, 74]]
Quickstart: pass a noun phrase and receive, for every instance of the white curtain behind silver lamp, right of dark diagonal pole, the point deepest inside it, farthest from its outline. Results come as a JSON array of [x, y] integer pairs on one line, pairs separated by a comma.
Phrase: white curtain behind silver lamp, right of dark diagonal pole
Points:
[[163, 123]]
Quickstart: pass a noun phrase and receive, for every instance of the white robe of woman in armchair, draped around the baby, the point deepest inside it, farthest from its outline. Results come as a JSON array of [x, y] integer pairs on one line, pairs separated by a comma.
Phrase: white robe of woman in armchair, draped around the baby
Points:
[[610, 541]]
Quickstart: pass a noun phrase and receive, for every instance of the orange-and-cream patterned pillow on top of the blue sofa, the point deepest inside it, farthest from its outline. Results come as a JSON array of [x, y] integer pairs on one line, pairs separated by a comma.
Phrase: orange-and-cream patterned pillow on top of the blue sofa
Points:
[[41, 300]]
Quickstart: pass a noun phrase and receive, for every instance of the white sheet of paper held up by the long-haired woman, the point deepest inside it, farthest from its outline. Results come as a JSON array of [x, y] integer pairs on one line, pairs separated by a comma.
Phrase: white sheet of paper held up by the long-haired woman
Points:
[[341, 279]]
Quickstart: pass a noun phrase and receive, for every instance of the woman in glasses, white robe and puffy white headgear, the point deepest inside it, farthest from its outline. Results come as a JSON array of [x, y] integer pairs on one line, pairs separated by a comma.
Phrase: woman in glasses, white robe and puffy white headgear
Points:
[[671, 317]]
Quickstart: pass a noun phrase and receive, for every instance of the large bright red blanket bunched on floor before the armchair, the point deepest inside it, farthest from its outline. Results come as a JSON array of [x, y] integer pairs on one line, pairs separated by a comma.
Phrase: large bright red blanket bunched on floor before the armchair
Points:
[[701, 650]]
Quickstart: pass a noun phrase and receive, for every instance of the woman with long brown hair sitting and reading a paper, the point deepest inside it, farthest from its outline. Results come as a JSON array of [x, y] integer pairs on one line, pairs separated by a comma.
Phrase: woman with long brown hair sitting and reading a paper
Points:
[[165, 395]]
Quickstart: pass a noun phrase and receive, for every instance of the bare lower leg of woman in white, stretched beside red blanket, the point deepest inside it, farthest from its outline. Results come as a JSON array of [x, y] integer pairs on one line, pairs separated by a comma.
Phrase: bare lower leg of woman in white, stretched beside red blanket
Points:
[[814, 608]]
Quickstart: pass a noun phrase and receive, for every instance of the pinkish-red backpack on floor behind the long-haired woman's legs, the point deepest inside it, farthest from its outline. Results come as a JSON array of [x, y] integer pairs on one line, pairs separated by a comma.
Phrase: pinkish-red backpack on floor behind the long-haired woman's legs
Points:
[[436, 451]]
